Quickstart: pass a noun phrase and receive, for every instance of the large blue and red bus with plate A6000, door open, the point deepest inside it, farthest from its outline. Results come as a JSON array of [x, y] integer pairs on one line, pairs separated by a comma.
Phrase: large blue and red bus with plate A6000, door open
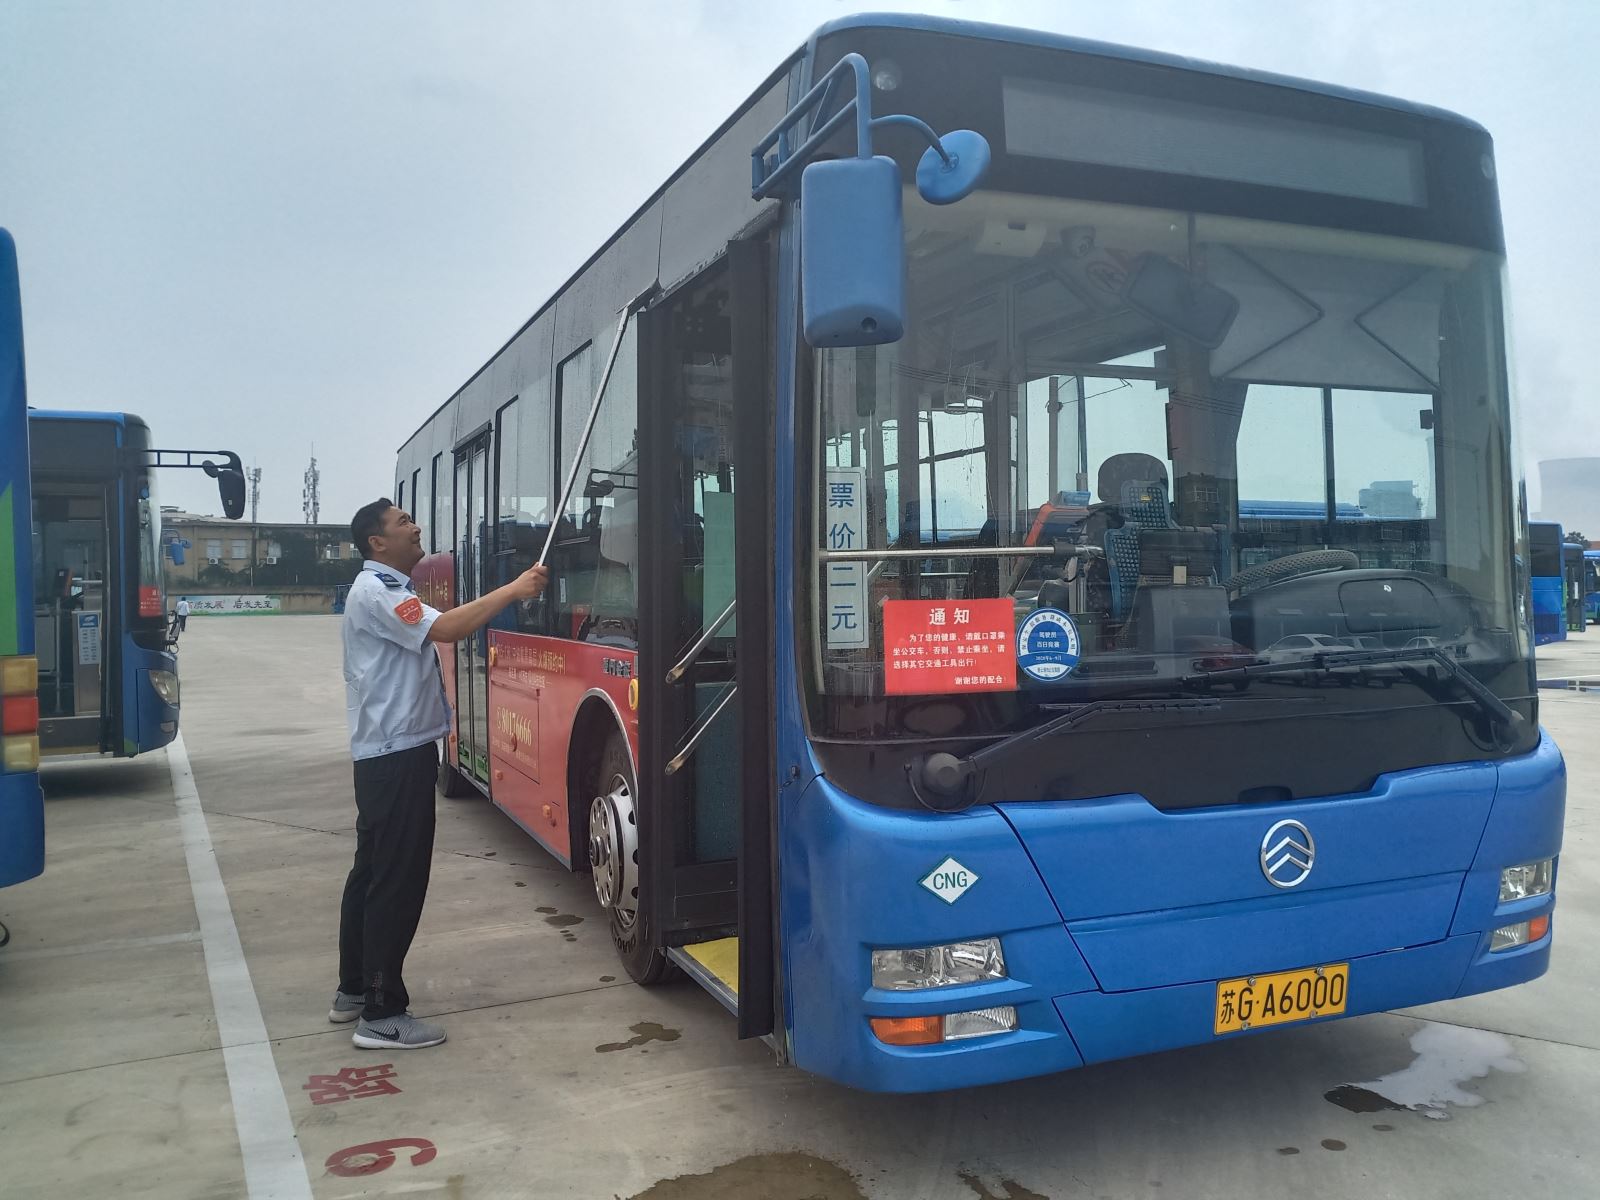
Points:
[[911, 674]]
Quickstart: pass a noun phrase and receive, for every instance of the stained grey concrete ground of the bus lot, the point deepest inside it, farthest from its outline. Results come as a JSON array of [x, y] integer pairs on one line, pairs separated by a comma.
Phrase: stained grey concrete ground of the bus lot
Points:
[[564, 1081]]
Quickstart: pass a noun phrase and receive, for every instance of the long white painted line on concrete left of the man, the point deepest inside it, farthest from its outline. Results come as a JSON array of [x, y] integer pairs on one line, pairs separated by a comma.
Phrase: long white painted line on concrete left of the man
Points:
[[274, 1169]]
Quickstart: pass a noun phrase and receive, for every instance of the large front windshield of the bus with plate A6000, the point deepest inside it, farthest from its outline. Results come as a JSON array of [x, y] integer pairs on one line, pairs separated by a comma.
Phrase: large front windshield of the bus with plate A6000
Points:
[[1209, 441]]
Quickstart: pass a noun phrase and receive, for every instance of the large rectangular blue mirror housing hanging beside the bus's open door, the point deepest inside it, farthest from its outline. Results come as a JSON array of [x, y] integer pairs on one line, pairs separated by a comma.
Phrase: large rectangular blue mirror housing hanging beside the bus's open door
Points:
[[852, 254]]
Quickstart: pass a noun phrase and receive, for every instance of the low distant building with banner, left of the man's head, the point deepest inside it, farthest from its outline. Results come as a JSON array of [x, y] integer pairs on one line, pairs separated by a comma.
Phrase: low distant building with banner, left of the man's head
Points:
[[298, 567]]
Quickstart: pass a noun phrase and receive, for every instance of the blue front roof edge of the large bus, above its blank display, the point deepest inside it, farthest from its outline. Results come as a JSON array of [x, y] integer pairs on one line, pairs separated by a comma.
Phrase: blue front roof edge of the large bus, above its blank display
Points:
[[1033, 38]]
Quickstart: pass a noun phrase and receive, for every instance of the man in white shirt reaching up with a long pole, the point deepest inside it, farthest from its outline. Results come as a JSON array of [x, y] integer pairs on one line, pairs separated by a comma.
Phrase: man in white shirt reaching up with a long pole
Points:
[[398, 713]]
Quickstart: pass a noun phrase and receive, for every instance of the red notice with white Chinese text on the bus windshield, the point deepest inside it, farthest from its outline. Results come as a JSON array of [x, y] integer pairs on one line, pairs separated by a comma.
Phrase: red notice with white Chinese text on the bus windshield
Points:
[[935, 647]]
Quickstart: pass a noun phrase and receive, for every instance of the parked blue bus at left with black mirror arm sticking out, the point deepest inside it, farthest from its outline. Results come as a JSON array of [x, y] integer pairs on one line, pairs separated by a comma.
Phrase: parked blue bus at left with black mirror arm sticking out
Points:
[[106, 650]]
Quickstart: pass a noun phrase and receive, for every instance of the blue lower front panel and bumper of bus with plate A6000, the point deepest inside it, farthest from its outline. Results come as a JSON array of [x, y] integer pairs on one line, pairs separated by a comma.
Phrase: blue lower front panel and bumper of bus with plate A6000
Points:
[[1095, 988]]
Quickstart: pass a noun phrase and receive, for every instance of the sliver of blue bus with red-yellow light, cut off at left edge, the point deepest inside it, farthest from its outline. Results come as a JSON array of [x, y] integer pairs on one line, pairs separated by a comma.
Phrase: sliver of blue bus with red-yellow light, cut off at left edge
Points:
[[22, 802]]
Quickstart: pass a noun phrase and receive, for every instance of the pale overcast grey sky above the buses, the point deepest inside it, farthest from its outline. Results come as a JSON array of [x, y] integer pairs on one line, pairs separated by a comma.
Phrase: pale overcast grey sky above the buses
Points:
[[276, 226]]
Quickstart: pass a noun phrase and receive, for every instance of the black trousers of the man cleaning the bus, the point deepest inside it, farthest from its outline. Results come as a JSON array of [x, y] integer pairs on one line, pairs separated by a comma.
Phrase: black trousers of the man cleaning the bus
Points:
[[385, 894]]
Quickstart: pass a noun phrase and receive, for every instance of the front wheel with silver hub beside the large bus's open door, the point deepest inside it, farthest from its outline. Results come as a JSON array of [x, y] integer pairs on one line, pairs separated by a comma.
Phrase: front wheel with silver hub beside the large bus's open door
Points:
[[614, 858]]
